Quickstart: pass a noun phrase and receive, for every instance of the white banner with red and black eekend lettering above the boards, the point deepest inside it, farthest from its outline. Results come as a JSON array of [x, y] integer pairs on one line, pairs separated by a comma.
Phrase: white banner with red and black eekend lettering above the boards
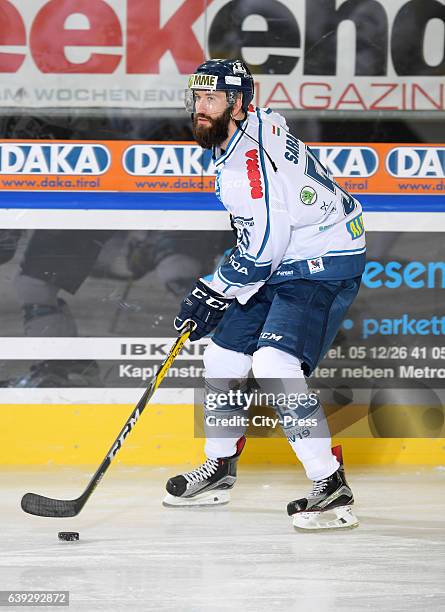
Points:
[[373, 55]]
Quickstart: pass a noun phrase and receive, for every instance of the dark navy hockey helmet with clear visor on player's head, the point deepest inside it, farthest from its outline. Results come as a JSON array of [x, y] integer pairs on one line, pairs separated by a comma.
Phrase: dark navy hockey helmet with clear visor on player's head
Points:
[[231, 76]]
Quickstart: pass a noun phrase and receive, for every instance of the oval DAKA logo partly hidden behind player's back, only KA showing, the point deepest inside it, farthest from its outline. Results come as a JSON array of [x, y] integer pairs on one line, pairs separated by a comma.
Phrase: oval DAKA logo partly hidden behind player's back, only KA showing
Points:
[[348, 161]]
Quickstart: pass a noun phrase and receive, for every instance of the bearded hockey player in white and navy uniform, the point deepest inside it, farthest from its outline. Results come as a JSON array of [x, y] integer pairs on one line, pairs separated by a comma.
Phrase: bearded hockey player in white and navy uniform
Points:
[[279, 300]]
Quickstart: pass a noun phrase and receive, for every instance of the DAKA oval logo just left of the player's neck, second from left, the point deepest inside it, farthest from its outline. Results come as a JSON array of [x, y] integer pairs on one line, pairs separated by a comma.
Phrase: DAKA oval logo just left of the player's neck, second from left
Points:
[[168, 160]]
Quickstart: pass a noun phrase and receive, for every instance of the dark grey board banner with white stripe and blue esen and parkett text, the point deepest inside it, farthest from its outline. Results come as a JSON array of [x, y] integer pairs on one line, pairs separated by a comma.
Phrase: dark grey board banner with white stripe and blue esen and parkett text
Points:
[[92, 311]]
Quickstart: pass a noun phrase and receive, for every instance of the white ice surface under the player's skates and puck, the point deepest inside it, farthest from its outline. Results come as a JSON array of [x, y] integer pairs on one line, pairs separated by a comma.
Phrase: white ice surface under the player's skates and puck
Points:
[[134, 554]]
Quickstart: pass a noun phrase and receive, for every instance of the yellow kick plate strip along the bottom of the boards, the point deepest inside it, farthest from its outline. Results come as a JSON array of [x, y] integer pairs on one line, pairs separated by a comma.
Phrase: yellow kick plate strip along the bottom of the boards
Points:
[[43, 434]]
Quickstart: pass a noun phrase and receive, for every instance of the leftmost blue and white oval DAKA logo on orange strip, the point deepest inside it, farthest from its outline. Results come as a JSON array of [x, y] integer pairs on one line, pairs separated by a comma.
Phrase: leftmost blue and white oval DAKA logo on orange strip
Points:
[[57, 159]]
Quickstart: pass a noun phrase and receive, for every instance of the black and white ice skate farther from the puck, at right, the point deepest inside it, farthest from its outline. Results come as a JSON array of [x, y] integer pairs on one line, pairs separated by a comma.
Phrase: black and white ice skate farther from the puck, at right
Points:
[[328, 506]]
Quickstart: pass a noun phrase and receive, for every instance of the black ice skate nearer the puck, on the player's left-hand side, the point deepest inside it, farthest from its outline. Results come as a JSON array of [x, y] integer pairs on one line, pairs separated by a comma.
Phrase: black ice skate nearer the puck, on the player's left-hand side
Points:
[[206, 485]]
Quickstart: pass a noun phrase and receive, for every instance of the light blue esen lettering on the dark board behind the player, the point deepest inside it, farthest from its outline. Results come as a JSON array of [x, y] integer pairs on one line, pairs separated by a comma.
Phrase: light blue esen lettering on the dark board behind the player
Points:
[[394, 274]]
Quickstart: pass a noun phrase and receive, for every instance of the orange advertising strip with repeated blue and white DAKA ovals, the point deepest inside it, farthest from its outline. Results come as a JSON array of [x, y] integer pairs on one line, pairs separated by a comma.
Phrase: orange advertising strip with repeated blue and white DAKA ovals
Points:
[[183, 167]]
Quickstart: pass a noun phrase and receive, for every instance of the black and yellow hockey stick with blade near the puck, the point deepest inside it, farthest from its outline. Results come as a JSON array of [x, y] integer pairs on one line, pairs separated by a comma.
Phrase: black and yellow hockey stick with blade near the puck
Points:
[[46, 506]]
